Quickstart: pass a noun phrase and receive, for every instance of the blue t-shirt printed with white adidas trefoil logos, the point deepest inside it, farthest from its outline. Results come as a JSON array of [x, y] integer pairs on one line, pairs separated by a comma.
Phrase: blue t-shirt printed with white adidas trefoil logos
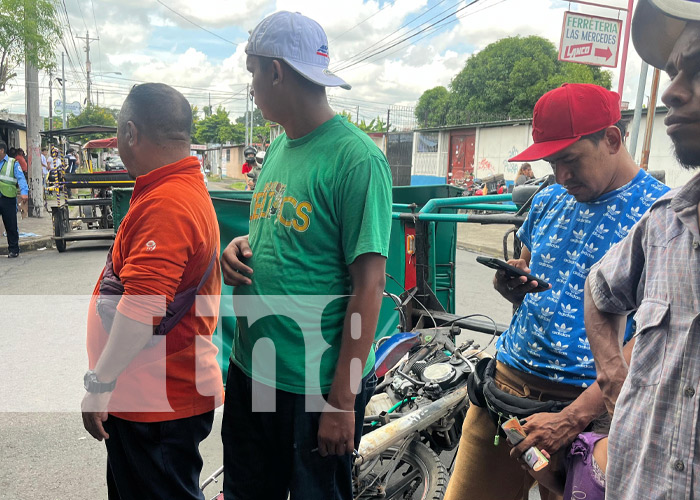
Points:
[[546, 336]]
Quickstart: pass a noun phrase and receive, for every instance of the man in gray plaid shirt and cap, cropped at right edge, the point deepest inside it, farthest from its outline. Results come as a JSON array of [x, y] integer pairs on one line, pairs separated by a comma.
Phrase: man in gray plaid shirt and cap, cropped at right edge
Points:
[[654, 446]]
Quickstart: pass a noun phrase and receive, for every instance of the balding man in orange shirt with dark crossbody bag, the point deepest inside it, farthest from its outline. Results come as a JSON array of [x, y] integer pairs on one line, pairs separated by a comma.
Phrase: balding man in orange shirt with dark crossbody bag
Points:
[[152, 396]]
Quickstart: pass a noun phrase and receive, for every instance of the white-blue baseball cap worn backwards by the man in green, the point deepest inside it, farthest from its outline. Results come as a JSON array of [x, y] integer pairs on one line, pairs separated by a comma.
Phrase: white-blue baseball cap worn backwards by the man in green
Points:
[[297, 40]]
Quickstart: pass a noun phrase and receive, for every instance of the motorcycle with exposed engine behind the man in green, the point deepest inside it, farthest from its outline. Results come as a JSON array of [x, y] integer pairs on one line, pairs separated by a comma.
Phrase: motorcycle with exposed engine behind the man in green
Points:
[[416, 412]]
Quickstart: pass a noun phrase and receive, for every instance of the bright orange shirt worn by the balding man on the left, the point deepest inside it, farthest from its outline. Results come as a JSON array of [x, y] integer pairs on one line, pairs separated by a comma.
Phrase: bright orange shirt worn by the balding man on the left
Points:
[[163, 246]]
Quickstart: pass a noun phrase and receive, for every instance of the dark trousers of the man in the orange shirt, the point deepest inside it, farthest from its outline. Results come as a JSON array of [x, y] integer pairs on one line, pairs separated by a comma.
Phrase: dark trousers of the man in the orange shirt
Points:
[[155, 460]]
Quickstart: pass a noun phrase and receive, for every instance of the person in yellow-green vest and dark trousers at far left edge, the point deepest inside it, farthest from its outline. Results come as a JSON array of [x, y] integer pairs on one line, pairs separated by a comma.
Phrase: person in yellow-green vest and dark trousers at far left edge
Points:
[[11, 181]]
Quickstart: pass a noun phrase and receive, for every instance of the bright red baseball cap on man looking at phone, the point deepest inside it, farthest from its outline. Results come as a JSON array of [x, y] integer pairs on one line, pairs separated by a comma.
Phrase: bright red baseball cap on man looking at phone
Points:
[[563, 115]]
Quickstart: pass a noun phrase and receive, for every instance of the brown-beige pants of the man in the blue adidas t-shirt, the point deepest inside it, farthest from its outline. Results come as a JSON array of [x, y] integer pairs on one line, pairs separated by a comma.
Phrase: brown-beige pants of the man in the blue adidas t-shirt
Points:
[[484, 471]]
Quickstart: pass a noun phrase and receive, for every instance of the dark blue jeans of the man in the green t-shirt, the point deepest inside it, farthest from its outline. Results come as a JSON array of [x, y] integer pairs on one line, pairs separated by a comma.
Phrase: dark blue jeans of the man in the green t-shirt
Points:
[[268, 455]]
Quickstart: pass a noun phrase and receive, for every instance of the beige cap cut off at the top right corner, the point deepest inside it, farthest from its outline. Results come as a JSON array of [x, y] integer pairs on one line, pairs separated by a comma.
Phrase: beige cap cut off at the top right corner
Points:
[[657, 24]]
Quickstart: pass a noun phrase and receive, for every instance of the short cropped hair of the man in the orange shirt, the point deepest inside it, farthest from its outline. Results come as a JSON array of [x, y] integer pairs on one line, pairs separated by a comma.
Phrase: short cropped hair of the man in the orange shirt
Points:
[[159, 112]]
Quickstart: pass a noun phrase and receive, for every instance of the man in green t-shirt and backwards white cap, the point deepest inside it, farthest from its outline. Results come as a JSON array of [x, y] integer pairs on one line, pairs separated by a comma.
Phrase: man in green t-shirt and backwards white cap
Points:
[[308, 281]]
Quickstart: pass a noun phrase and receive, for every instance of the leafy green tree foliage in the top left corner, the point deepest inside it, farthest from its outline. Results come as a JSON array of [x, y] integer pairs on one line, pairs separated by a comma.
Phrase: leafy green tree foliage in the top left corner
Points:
[[28, 28]]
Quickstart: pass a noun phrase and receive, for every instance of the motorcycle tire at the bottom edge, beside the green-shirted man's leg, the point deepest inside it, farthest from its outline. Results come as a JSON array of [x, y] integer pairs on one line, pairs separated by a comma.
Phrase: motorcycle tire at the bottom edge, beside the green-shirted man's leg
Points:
[[418, 459]]
